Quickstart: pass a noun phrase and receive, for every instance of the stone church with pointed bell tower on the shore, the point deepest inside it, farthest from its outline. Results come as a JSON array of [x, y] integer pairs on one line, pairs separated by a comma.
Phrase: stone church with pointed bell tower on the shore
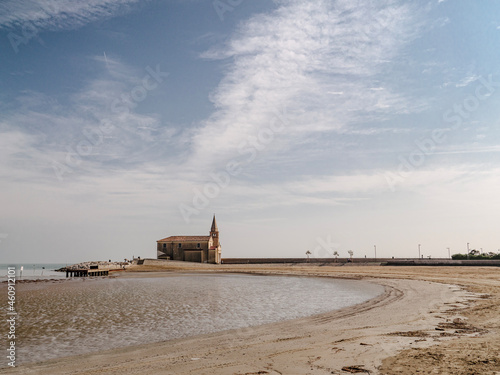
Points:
[[201, 249]]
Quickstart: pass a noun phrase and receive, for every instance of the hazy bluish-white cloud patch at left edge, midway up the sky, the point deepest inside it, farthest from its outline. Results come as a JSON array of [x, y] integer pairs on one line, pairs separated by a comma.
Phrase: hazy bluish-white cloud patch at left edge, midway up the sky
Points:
[[97, 129]]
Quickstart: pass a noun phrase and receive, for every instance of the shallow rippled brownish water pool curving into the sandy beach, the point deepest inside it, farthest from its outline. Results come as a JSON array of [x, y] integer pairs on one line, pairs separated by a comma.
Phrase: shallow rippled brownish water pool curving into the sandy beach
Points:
[[90, 315]]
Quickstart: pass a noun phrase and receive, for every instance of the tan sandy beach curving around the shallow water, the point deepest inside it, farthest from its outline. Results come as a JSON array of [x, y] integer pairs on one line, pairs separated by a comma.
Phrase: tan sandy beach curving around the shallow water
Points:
[[430, 320]]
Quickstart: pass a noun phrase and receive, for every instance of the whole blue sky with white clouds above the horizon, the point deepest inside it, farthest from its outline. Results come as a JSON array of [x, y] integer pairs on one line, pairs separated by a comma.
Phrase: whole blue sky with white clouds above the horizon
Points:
[[302, 125]]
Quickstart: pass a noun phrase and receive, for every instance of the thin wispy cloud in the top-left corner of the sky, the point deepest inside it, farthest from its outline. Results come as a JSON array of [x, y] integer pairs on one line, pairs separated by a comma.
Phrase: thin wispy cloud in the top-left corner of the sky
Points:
[[59, 14]]
